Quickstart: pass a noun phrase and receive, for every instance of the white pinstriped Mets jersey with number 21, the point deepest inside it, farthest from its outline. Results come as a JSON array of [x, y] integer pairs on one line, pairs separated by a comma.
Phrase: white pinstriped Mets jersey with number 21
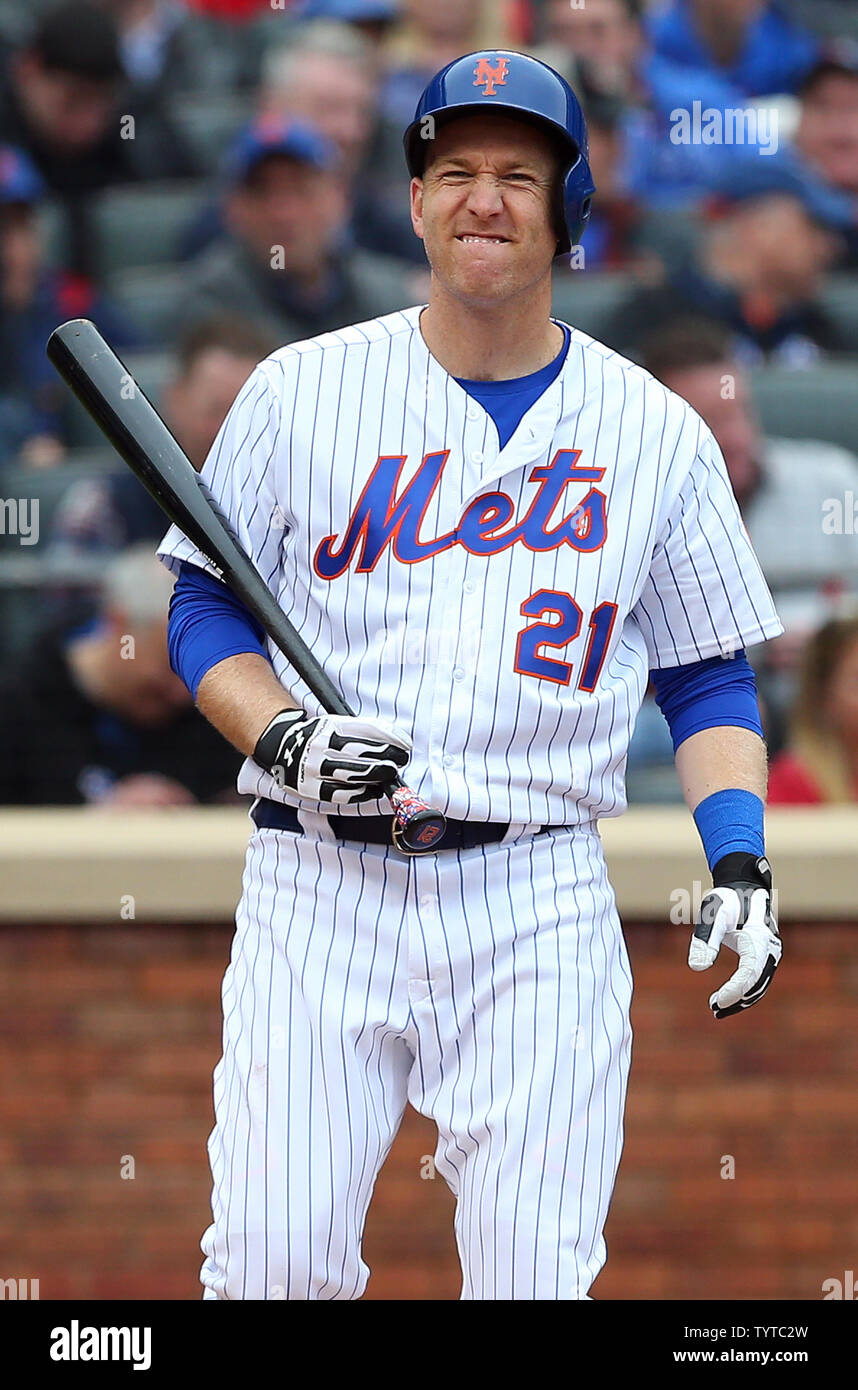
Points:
[[501, 605]]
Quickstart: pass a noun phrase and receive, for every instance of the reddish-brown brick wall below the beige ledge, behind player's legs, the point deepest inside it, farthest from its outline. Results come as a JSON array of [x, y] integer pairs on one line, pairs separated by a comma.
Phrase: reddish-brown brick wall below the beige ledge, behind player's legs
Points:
[[108, 1042]]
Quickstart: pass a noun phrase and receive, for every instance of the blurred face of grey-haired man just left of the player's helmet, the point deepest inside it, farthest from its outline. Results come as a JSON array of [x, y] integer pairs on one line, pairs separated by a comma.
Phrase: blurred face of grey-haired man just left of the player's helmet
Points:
[[336, 97]]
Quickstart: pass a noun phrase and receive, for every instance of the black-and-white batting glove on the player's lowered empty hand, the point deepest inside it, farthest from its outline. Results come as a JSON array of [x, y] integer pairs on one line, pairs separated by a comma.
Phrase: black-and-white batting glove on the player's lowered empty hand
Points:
[[739, 914]]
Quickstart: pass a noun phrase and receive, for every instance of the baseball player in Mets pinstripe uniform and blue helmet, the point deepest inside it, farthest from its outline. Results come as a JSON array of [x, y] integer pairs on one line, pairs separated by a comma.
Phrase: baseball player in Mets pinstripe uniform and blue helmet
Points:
[[492, 530]]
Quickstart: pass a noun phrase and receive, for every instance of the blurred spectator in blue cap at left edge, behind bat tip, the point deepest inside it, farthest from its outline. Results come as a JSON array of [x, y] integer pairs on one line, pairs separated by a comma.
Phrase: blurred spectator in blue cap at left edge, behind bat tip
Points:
[[33, 302]]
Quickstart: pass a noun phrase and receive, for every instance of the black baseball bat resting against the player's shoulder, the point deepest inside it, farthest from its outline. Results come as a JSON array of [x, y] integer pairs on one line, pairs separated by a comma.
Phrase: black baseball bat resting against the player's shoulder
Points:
[[130, 422]]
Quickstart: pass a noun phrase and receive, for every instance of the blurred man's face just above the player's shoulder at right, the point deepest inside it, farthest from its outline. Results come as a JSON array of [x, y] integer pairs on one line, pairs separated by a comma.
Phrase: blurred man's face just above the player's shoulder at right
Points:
[[720, 394]]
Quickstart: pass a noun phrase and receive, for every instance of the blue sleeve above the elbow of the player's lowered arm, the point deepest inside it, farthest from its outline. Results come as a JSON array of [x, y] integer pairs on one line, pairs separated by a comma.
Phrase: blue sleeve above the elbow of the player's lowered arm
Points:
[[707, 696]]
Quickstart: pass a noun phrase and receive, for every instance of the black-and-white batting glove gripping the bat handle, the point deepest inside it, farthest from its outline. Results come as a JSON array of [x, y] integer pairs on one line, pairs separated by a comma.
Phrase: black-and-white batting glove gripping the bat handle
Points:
[[334, 758]]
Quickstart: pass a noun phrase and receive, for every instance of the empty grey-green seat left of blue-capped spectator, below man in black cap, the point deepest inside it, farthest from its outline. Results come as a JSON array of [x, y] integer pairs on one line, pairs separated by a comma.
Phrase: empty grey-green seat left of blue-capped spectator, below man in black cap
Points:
[[143, 226]]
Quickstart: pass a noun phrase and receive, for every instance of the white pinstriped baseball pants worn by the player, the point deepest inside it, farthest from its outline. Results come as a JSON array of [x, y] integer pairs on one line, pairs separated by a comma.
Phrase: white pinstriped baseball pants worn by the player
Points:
[[489, 988]]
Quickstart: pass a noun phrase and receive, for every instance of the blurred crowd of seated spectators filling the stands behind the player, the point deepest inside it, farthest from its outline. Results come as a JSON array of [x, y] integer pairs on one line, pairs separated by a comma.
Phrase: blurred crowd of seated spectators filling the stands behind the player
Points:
[[209, 180]]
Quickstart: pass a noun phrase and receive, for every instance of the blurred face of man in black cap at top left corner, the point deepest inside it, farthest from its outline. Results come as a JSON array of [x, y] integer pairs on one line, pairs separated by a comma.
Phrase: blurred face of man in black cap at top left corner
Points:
[[67, 112]]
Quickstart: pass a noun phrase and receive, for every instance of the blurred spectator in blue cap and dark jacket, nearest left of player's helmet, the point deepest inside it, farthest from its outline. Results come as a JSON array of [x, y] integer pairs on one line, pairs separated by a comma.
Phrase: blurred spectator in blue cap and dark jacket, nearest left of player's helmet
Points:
[[284, 261]]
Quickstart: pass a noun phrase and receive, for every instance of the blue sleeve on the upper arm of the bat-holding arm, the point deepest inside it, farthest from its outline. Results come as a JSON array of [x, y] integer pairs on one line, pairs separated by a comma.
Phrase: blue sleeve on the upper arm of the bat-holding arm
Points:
[[207, 626]]
